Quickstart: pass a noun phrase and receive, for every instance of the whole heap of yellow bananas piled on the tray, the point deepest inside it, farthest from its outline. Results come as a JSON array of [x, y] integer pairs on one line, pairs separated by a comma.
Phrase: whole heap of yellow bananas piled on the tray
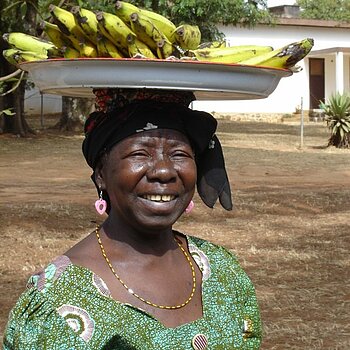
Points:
[[132, 32]]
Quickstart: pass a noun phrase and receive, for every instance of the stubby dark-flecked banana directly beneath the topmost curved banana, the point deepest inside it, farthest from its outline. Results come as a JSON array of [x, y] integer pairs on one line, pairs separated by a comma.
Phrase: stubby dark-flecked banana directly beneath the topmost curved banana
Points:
[[146, 31]]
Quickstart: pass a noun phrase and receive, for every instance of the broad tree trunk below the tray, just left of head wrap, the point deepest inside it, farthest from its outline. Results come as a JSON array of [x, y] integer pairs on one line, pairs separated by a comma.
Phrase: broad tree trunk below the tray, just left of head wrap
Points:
[[74, 113]]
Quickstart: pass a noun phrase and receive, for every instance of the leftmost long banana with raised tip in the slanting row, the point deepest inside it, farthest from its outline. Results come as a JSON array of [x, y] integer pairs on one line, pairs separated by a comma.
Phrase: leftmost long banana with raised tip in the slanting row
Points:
[[67, 24]]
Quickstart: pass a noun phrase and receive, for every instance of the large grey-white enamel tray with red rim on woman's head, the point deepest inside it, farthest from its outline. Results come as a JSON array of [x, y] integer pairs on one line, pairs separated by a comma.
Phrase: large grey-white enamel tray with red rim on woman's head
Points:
[[209, 81]]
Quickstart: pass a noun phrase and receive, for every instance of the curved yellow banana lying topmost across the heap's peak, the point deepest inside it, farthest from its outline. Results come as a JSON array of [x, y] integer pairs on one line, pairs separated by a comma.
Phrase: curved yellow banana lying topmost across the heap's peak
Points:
[[124, 10]]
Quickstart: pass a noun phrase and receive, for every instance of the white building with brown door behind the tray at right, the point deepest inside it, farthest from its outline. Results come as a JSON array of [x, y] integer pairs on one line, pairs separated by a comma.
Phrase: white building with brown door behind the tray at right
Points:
[[325, 70]]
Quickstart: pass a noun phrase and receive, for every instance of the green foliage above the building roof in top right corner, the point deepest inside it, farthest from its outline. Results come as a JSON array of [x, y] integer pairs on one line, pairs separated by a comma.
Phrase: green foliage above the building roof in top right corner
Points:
[[338, 10]]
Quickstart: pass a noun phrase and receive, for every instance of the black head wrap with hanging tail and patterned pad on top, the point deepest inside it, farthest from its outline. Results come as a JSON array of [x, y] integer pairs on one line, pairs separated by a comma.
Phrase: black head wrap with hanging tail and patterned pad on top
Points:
[[123, 112]]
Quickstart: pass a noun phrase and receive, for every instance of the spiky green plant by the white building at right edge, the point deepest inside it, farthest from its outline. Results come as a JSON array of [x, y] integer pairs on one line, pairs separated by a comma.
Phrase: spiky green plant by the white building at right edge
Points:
[[337, 111]]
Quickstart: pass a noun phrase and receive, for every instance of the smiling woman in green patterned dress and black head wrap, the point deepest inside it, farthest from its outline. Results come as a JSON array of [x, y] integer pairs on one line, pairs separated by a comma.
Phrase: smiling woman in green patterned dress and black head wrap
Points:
[[135, 283]]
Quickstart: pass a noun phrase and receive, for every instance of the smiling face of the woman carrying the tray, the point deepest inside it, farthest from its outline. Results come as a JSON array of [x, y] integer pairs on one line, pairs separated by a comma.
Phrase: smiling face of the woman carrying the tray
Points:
[[150, 178]]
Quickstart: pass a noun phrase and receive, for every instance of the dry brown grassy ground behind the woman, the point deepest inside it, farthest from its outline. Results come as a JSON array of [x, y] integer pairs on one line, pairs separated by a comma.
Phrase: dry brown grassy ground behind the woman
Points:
[[290, 227]]
